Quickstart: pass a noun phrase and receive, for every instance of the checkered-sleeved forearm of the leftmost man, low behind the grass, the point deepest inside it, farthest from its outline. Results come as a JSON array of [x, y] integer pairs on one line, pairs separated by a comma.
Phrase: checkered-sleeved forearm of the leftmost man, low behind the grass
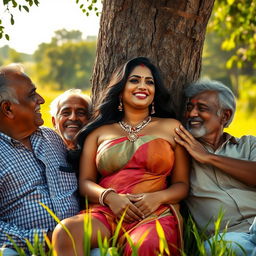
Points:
[[19, 235]]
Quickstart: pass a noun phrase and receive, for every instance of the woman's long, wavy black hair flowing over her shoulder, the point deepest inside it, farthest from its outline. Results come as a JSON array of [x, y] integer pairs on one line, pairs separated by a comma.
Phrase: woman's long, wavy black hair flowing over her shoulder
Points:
[[106, 110]]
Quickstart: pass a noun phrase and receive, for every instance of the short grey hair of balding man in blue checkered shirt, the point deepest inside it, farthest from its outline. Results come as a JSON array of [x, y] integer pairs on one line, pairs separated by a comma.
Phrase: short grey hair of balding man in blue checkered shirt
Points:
[[6, 92]]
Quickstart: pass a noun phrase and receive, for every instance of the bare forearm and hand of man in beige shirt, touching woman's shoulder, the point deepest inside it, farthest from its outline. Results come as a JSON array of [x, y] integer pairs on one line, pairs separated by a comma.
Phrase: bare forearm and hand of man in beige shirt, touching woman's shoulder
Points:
[[242, 170]]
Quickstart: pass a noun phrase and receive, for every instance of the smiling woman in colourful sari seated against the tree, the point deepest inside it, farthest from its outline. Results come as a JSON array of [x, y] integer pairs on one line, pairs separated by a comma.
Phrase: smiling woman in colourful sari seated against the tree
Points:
[[130, 145]]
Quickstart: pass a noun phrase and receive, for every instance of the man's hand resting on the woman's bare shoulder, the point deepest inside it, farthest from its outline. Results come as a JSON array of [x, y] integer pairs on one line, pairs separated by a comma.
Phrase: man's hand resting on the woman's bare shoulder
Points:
[[194, 147]]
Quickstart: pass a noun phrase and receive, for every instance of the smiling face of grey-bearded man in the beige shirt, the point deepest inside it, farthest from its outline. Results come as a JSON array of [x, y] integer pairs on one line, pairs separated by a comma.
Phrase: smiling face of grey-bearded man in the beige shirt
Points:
[[203, 115]]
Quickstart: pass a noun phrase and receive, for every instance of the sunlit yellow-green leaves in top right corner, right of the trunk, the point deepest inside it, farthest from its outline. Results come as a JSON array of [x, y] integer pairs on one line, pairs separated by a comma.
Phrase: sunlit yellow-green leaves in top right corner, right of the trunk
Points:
[[235, 22]]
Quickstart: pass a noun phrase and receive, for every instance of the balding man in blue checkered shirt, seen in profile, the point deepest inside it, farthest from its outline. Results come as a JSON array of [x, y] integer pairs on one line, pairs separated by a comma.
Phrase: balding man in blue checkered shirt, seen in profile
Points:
[[33, 165]]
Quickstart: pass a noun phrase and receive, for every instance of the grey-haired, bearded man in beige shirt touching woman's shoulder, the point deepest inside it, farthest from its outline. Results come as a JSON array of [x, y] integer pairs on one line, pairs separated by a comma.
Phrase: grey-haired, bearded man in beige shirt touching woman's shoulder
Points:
[[223, 167]]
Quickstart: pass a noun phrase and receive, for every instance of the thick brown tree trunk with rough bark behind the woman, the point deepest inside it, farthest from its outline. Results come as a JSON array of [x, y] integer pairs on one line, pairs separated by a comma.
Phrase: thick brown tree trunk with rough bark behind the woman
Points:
[[170, 33]]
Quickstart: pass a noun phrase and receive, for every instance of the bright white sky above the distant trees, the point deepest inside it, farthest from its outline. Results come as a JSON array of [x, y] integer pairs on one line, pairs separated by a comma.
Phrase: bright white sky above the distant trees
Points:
[[38, 26]]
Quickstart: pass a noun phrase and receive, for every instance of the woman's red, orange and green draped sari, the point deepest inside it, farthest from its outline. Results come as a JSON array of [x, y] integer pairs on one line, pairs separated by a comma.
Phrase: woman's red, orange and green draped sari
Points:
[[142, 166]]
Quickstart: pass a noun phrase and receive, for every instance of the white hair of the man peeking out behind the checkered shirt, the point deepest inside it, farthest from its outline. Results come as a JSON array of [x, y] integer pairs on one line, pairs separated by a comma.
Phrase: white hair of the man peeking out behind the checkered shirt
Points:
[[54, 106]]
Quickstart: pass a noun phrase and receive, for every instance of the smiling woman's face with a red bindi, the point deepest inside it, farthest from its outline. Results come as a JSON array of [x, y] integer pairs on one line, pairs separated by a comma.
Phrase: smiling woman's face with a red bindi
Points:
[[139, 89]]
